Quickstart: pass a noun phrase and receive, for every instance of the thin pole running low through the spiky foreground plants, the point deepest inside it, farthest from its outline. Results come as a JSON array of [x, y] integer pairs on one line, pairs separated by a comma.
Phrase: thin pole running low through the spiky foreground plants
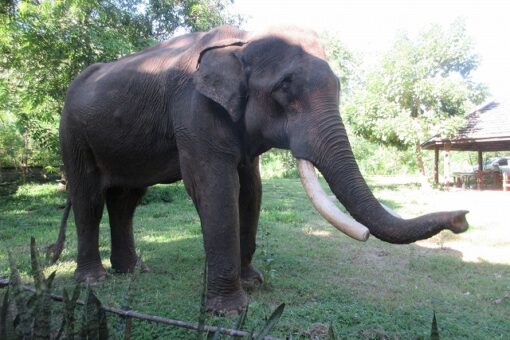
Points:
[[152, 318]]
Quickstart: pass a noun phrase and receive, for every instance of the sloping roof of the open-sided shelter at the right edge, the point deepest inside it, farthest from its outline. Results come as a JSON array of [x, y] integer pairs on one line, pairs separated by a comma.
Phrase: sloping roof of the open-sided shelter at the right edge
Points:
[[487, 129]]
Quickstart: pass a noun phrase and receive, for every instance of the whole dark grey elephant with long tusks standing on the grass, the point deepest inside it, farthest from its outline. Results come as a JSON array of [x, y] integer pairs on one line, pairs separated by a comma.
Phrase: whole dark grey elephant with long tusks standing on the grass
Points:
[[202, 108]]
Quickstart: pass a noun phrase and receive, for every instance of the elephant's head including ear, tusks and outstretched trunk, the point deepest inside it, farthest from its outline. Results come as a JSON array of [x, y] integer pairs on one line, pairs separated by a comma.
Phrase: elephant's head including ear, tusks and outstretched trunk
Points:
[[281, 92]]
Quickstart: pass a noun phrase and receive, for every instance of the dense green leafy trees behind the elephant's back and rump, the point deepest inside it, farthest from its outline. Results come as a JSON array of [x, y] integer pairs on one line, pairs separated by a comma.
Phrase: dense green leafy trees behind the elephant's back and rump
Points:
[[44, 44]]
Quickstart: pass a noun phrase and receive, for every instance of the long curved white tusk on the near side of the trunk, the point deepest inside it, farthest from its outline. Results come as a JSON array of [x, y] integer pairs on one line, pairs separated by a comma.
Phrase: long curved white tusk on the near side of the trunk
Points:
[[325, 207]]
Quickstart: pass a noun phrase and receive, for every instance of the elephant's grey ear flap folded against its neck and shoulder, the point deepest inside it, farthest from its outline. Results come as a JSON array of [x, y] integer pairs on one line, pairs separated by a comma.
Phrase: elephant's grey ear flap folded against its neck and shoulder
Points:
[[221, 78]]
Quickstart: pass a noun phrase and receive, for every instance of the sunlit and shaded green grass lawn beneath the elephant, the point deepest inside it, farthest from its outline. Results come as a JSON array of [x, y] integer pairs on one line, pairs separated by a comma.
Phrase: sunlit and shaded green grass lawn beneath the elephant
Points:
[[369, 290]]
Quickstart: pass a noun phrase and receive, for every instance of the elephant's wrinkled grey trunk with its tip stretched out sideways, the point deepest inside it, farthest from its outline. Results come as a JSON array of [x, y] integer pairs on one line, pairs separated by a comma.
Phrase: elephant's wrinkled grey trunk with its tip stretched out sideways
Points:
[[333, 157]]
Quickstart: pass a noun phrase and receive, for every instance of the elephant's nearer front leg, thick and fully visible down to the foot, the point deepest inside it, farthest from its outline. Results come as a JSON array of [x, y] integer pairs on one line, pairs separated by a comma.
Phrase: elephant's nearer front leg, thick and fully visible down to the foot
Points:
[[214, 187]]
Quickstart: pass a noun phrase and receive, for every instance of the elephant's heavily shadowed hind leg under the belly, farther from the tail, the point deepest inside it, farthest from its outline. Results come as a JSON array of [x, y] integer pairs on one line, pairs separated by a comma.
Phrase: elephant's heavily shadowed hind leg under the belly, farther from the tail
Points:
[[121, 204]]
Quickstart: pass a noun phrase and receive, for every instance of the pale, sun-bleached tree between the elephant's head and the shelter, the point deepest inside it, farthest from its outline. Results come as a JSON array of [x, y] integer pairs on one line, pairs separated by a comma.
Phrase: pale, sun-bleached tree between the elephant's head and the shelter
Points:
[[422, 87]]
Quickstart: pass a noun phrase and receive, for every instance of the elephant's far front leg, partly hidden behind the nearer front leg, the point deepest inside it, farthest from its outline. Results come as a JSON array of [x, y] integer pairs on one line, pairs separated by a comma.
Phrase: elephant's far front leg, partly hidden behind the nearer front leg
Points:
[[249, 211]]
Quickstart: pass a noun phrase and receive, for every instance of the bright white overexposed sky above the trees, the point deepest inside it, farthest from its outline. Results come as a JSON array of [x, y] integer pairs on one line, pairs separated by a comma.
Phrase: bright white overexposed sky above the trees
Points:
[[369, 27]]
